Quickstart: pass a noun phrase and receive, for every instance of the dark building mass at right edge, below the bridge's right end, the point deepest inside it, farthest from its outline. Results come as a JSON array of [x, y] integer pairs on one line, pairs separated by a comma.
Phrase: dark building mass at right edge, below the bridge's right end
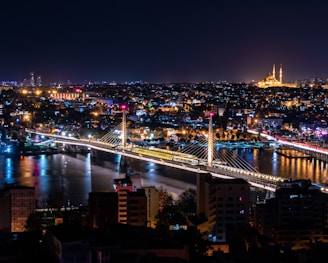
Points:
[[296, 216]]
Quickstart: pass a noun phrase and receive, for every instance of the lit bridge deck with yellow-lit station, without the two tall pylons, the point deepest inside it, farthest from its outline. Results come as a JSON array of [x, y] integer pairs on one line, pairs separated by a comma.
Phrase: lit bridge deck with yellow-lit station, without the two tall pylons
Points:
[[177, 159]]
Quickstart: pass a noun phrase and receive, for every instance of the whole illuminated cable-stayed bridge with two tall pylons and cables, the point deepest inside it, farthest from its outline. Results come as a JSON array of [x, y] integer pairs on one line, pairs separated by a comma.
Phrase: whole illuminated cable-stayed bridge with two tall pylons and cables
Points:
[[199, 156]]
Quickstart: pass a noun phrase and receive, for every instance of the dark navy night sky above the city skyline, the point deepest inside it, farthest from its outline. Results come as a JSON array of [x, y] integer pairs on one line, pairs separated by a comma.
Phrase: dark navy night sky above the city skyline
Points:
[[162, 41]]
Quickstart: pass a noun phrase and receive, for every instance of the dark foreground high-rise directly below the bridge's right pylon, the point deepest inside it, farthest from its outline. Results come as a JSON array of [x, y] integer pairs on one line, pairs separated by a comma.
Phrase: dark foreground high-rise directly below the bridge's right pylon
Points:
[[224, 203]]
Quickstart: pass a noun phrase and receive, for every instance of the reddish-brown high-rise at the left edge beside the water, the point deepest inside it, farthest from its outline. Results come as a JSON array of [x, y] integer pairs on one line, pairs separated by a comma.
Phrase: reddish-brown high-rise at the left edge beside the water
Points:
[[16, 205]]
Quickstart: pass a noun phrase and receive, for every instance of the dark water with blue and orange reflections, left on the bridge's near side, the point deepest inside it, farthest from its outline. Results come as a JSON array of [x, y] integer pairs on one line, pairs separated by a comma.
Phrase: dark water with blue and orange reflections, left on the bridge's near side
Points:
[[78, 175]]
